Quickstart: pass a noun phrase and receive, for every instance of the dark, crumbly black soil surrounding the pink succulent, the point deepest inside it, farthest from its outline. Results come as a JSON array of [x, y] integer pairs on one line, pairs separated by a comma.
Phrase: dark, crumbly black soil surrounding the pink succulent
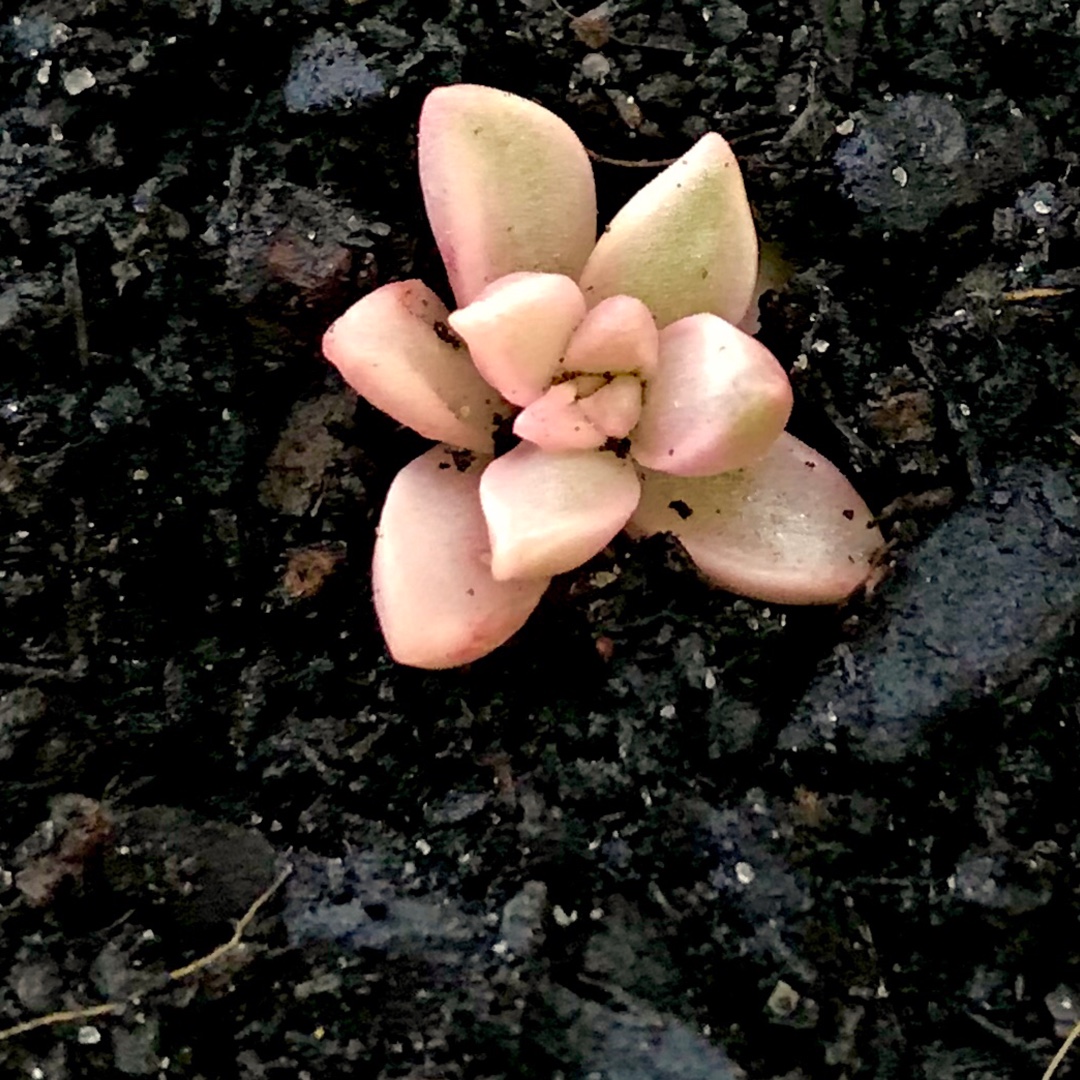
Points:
[[663, 834]]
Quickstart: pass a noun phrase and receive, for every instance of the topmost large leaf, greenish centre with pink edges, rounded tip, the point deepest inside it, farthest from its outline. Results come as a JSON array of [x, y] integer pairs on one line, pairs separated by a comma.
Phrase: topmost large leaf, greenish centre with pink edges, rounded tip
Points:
[[508, 187]]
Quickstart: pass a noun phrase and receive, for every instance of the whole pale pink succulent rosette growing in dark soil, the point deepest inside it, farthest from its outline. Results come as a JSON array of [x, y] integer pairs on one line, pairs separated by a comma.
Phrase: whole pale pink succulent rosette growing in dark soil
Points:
[[619, 366]]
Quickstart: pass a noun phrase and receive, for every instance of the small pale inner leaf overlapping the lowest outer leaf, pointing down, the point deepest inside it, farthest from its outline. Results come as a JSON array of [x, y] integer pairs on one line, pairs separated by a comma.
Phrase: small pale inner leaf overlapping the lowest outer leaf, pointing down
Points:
[[548, 514]]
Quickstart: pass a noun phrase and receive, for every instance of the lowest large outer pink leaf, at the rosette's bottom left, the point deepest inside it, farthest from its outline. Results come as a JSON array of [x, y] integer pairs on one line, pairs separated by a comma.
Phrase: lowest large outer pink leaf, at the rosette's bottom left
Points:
[[437, 601]]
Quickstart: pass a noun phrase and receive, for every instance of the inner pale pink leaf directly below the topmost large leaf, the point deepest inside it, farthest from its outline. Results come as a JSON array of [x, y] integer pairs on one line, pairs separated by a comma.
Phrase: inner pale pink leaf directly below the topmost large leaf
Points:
[[518, 330]]
